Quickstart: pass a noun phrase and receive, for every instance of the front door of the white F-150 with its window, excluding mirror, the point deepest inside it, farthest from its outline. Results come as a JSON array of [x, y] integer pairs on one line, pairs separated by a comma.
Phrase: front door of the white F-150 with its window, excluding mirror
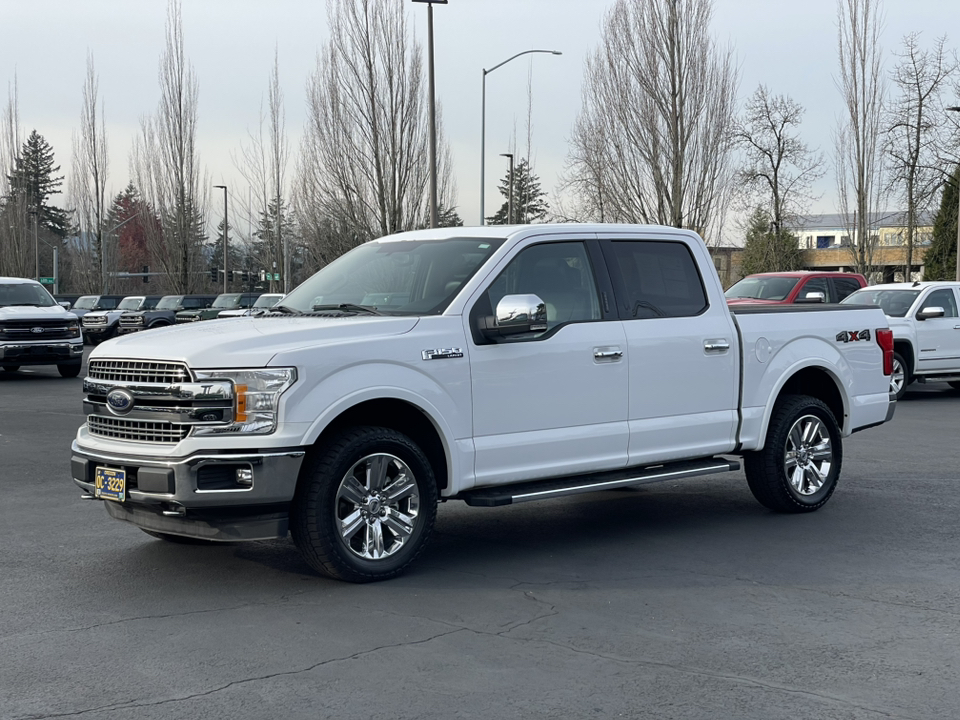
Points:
[[550, 403]]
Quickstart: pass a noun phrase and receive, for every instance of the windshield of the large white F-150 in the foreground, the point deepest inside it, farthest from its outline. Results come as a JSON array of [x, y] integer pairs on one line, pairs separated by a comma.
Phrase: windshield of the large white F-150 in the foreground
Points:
[[407, 277]]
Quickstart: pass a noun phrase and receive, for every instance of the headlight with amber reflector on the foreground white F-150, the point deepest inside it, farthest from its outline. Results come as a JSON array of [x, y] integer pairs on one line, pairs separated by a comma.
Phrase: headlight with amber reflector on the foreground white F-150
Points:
[[257, 399]]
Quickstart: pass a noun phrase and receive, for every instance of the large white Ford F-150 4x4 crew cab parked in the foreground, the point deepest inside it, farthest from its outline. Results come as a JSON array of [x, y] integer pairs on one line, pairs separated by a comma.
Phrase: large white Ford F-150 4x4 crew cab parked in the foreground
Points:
[[492, 365]]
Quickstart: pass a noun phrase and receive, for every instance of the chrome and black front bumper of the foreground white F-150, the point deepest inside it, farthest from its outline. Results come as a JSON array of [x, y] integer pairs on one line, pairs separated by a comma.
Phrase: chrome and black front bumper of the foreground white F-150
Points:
[[200, 495]]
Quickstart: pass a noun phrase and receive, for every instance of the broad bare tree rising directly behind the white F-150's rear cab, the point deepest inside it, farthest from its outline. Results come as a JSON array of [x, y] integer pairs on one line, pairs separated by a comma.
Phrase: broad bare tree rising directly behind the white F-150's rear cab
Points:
[[653, 140]]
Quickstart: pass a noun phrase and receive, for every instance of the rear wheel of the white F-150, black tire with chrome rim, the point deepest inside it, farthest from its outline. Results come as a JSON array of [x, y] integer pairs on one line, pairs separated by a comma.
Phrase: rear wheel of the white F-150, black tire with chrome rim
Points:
[[766, 469]]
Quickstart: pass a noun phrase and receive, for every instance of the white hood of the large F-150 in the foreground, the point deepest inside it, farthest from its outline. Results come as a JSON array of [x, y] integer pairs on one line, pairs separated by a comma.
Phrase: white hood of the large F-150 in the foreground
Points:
[[248, 341]]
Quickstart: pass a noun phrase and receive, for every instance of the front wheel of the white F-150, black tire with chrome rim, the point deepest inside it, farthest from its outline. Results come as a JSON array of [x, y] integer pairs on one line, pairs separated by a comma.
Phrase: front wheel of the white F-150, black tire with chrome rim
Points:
[[321, 501]]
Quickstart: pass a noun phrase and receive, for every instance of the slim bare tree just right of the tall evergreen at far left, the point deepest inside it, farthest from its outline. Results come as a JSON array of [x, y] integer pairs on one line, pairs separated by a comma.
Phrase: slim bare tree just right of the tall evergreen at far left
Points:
[[88, 186]]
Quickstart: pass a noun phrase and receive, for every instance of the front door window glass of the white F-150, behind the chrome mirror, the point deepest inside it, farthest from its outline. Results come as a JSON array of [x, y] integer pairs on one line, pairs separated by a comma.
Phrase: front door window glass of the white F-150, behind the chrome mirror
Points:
[[559, 274]]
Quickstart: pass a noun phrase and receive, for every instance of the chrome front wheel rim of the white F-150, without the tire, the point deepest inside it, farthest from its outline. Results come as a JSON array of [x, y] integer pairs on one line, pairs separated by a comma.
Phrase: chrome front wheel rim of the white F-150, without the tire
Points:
[[377, 506]]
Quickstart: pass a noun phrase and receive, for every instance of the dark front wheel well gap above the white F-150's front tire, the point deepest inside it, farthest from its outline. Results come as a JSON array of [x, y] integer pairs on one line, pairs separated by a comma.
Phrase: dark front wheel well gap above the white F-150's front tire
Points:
[[403, 417]]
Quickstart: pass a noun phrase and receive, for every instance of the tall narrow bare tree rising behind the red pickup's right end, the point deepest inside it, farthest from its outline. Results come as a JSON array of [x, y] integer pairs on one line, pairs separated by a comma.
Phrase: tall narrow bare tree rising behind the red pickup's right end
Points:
[[858, 144]]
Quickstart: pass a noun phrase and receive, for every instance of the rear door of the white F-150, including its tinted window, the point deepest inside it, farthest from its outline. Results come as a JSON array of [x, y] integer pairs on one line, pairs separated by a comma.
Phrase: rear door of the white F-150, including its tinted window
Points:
[[683, 352]]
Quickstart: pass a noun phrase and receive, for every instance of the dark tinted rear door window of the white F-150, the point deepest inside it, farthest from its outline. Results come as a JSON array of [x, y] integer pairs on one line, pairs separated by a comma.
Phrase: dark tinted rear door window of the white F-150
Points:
[[656, 279]]
